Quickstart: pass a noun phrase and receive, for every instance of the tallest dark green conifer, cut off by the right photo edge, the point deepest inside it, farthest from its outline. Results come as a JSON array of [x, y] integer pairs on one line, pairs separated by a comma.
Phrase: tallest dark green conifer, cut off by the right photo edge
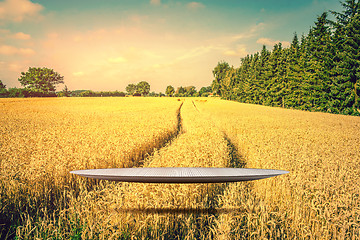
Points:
[[345, 89]]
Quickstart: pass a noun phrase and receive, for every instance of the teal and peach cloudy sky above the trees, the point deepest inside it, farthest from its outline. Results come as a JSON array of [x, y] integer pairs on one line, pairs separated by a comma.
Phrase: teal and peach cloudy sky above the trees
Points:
[[106, 45]]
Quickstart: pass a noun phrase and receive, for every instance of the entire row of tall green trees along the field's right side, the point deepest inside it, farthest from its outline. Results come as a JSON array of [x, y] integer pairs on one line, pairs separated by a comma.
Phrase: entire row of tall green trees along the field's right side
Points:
[[319, 72]]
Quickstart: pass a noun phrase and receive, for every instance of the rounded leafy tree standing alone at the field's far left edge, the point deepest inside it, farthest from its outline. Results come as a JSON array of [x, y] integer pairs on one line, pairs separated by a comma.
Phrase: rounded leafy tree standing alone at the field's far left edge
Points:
[[40, 81]]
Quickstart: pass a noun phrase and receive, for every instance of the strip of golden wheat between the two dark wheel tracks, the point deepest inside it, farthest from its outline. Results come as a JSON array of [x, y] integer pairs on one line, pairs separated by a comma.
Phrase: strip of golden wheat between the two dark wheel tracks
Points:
[[176, 210]]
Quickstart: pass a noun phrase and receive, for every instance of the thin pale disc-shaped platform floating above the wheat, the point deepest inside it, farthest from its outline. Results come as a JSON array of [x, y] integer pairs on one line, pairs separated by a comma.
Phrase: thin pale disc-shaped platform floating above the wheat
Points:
[[179, 175]]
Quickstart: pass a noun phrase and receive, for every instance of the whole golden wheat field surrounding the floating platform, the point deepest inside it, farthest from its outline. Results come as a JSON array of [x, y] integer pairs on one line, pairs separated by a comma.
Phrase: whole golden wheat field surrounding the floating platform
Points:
[[43, 139]]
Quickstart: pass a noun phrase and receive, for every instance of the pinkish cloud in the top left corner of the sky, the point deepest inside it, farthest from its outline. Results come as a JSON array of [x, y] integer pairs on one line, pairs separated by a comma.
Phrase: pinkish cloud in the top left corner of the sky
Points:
[[18, 10]]
